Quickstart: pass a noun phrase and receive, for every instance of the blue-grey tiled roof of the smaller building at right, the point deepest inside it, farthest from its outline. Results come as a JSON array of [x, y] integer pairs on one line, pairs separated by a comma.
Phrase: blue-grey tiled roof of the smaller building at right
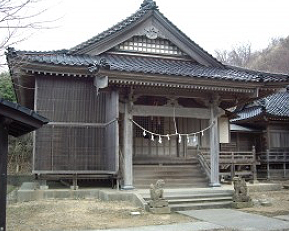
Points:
[[276, 105]]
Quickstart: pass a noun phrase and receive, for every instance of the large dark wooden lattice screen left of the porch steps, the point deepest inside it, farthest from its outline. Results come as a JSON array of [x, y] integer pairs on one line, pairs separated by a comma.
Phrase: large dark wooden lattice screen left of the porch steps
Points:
[[83, 134]]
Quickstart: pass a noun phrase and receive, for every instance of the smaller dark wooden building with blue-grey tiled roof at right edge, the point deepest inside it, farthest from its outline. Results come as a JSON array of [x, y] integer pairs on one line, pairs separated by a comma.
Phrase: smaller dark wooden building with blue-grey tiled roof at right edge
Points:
[[268, 120]]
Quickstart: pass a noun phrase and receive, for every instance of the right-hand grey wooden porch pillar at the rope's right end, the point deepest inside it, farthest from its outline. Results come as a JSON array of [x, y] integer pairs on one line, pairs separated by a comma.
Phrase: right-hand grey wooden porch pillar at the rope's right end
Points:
[[214, 147]]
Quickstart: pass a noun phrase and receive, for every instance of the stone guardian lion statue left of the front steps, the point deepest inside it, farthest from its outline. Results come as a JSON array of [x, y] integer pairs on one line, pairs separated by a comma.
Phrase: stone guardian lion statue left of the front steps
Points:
[[158, 204]]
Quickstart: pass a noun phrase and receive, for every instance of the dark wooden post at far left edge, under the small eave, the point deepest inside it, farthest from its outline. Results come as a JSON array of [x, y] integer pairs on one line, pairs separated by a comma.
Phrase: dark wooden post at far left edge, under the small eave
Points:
[[3, 174]]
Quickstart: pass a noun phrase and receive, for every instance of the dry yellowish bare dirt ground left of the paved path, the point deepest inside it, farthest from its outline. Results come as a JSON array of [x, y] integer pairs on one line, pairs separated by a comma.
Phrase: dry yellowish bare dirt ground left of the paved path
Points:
[[82, 215]]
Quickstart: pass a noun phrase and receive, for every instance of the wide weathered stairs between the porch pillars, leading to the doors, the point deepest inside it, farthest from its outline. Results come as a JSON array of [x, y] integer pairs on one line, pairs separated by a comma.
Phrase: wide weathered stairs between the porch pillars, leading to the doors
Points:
[[176, 173]]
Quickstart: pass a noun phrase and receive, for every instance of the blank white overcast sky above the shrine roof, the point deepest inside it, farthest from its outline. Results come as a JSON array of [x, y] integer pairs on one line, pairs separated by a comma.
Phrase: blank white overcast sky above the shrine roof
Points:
[[213, 24]]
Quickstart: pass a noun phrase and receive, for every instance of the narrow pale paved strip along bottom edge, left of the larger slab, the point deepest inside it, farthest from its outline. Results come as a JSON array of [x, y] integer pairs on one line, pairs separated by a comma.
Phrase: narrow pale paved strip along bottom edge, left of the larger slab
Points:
[[190, 226]]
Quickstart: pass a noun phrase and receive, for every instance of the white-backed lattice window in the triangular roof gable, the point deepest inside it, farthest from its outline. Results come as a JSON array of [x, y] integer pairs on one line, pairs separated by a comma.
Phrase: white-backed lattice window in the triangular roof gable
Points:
[[154, 46]]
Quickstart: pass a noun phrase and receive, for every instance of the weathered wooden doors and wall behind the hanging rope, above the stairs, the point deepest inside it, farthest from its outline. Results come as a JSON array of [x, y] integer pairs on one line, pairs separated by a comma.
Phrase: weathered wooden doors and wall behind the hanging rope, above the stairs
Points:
[[144, 146]]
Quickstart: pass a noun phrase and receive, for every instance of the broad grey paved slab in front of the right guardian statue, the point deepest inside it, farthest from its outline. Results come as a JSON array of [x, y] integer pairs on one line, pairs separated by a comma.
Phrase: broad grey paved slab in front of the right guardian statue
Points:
[[238, 220]]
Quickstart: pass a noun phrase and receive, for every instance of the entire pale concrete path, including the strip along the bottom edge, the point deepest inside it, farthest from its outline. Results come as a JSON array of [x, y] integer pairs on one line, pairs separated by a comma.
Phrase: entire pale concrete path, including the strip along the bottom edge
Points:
[[219, 219]]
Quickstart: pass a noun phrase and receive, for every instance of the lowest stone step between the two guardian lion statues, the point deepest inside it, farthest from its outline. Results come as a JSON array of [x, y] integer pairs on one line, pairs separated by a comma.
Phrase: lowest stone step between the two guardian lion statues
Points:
[[205, 205]]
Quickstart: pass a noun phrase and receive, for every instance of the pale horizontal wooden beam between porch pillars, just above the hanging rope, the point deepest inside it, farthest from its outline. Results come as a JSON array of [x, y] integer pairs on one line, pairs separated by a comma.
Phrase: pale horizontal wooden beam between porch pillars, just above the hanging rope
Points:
[[165, 111]]
